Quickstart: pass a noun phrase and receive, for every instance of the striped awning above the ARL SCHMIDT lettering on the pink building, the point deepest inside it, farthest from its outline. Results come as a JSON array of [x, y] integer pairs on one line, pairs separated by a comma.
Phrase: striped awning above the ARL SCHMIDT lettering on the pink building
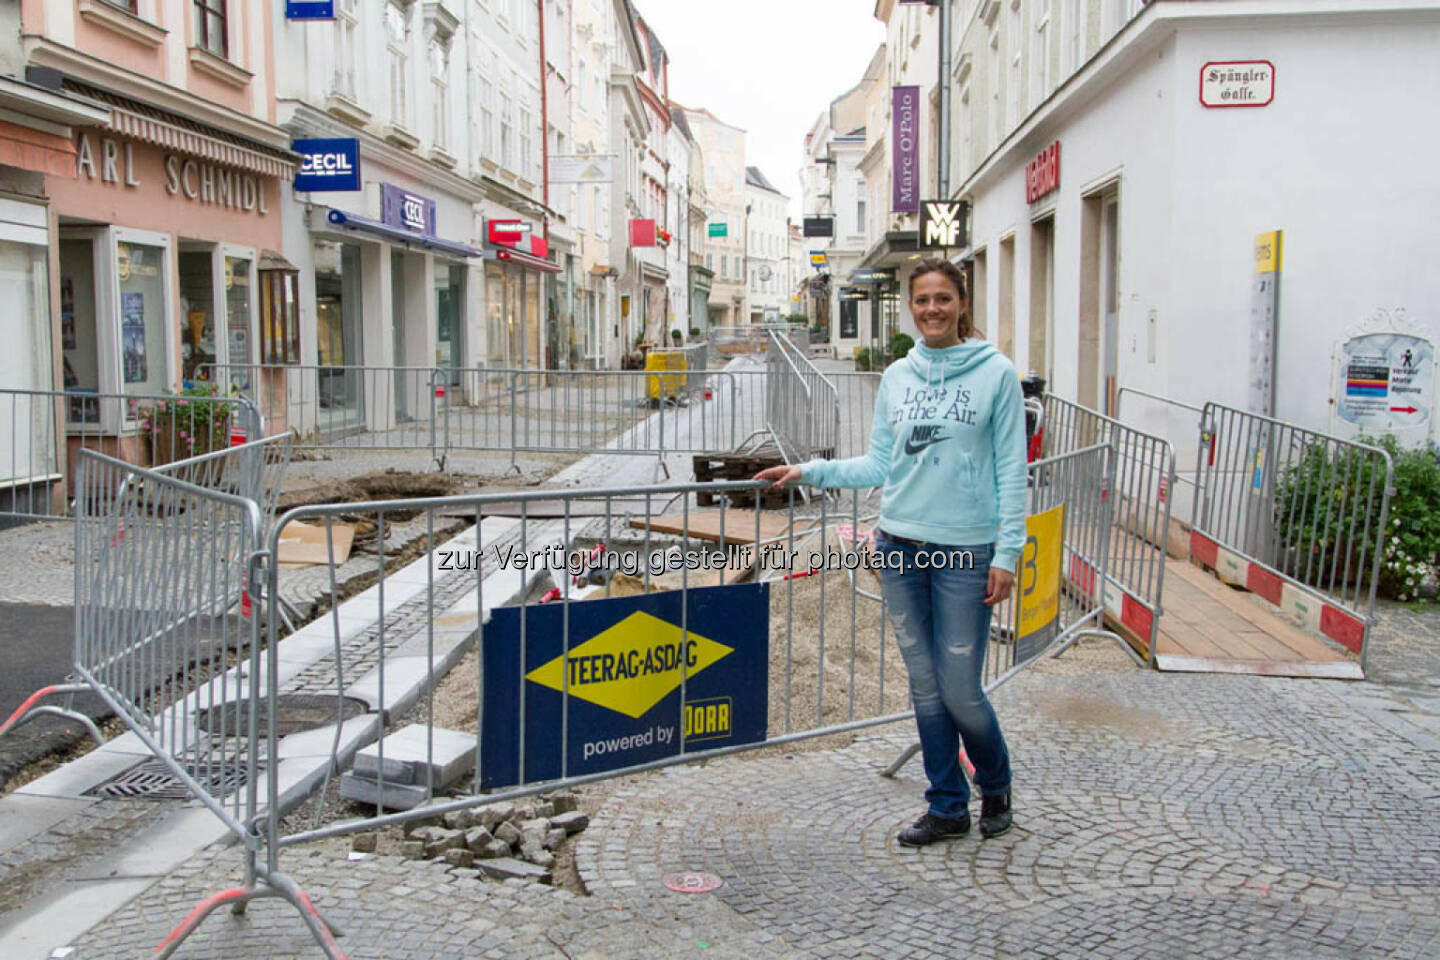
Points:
[[153, 126]]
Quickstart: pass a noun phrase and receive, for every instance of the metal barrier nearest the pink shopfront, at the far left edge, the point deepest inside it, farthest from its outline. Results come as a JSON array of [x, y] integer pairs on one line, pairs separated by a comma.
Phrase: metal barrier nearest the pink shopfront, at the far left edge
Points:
[[44, 431]]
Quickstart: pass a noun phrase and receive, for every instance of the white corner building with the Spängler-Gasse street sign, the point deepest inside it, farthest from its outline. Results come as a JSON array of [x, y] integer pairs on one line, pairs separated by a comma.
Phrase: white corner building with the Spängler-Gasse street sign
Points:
[[1115, 227]]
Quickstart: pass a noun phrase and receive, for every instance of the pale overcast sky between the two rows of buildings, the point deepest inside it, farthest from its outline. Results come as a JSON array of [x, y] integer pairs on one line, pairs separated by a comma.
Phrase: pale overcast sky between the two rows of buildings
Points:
[[768, 67]]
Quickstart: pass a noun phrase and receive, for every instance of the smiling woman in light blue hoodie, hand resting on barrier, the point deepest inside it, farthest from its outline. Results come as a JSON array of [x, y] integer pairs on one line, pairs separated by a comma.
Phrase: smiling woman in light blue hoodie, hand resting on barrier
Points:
[[948, 445]]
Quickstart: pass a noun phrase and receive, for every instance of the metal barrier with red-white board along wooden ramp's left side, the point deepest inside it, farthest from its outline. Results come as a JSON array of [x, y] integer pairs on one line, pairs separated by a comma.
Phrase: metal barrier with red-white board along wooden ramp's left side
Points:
[[1144, 480]]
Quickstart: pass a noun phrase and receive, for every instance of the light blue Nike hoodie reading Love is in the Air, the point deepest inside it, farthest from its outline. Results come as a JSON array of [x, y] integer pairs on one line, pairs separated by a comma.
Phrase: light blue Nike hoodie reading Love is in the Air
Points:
[[948, 444]]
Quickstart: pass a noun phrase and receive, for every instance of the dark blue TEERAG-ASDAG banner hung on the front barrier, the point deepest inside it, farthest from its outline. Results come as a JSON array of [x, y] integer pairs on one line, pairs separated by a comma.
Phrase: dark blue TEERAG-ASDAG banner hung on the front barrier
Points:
[[624, 679]]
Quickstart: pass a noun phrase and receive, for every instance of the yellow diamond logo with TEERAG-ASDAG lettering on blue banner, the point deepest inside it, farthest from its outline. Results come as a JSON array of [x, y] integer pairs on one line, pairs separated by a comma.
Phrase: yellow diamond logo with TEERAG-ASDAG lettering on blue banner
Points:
[[633, 666]]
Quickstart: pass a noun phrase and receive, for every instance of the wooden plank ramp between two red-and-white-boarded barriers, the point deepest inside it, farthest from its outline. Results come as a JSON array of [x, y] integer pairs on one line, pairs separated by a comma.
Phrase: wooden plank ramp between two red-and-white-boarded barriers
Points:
[[1212, 628]]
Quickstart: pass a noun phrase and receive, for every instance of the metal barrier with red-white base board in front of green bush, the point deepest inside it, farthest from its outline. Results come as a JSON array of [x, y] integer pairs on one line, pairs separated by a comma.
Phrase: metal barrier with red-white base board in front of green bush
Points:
[[1284, 507]]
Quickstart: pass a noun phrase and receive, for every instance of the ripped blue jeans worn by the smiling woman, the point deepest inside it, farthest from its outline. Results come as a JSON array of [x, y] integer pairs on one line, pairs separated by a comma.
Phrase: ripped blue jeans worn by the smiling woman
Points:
[[942, 627]]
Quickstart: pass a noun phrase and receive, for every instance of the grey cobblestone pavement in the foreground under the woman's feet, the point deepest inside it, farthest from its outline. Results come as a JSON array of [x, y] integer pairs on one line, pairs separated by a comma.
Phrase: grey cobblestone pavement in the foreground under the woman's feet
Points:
[[1157, 817]]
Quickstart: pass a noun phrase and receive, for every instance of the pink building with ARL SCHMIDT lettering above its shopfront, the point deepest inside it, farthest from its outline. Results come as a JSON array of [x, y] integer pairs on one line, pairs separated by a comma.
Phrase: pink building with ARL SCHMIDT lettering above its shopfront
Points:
[[171, 199]]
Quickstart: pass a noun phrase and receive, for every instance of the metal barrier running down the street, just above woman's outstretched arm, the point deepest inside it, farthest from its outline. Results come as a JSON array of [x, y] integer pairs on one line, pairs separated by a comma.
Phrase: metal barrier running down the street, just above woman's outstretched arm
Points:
[[801, 405]]
